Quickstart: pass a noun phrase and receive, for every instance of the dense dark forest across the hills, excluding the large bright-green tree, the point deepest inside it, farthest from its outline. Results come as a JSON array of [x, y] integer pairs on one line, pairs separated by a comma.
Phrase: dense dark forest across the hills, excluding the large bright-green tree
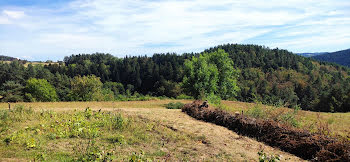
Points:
[[270, 76]]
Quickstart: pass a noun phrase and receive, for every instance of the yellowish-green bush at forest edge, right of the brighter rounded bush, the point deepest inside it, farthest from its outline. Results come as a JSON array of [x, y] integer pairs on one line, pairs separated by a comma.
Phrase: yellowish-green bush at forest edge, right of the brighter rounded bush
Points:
[[86, 88]]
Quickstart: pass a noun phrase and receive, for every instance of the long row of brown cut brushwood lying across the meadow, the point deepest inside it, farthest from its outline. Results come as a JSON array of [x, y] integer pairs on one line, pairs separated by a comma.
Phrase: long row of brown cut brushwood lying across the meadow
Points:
[[299, 142]]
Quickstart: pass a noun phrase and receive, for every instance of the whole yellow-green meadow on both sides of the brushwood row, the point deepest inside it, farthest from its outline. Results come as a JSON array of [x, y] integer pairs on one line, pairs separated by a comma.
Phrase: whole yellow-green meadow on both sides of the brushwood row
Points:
[[141, 131]]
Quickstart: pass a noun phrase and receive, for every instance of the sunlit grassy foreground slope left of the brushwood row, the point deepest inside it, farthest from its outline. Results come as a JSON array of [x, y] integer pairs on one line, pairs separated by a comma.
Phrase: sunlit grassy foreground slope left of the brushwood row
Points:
[[160, 133]]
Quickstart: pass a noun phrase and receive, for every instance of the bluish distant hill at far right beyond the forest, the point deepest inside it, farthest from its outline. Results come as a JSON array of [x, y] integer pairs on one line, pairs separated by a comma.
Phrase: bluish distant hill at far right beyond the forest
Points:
[[339, 57]]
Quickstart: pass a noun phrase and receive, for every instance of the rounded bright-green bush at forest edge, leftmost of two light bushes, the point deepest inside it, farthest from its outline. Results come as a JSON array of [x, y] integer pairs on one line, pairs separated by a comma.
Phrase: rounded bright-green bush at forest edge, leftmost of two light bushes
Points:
[[41, 90]]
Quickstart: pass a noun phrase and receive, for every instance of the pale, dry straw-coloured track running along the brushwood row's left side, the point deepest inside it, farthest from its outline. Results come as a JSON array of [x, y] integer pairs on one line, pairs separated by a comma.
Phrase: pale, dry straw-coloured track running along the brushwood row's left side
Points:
[[218, 140]]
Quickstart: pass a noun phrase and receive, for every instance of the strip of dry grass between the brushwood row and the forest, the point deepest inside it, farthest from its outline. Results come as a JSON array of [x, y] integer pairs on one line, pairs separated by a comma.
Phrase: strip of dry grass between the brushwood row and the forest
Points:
[[332, 124]]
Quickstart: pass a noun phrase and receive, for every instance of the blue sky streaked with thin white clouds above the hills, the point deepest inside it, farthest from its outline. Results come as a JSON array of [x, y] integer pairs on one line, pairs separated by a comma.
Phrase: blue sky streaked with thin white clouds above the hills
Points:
[[51, 29]]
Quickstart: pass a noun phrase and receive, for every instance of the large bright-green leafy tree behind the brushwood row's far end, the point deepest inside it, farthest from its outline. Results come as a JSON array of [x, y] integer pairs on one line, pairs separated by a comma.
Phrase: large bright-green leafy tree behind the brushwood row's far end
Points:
[[210, 73]]
